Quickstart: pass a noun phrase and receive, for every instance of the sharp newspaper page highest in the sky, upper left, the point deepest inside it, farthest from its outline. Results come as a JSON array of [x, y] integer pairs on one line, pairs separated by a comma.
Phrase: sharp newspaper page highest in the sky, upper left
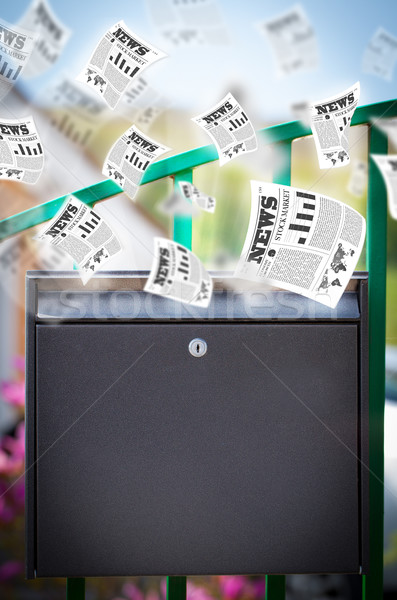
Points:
[[119, 56]]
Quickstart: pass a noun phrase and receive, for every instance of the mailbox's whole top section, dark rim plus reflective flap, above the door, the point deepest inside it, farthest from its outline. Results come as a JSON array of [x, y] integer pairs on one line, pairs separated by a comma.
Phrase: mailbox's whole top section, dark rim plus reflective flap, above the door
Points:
[[120, 295]]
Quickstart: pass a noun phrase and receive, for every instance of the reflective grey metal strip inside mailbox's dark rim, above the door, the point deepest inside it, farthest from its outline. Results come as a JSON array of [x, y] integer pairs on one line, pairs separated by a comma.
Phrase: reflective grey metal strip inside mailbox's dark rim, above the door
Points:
[[226, 305]]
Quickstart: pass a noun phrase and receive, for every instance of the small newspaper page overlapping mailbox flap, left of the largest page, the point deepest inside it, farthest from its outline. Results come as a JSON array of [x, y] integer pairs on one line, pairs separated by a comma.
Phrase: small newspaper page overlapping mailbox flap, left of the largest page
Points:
[[178, 274]]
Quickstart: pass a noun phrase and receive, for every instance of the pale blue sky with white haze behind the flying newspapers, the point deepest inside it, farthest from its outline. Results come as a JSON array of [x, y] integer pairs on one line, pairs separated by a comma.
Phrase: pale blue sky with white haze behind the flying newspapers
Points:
[[196, 78]]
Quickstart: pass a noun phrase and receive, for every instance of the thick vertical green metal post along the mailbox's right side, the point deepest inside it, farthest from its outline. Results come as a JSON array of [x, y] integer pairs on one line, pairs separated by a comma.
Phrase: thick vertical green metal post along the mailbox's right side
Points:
[[376, 265]]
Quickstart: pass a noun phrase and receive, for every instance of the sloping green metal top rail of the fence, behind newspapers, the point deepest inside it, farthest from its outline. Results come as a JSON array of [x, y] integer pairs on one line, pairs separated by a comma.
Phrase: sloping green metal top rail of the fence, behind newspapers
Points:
[[284, 132]]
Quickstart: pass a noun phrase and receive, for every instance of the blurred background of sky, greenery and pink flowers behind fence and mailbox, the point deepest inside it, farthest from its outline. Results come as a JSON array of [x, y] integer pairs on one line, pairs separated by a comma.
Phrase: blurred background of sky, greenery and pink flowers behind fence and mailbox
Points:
[[217, 49]]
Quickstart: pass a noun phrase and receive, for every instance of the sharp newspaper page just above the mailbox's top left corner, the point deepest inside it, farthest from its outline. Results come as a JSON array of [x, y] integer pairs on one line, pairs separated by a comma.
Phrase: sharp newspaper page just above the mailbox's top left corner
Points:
[[83, 234]]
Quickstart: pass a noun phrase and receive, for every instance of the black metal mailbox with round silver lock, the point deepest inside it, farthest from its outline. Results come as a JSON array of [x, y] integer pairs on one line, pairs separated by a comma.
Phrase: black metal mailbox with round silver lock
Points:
[[147, 454]]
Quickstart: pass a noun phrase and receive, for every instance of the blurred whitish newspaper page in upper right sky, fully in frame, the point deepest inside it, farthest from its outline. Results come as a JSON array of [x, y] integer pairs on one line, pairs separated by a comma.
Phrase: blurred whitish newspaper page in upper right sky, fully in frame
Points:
[[292, 40]]
